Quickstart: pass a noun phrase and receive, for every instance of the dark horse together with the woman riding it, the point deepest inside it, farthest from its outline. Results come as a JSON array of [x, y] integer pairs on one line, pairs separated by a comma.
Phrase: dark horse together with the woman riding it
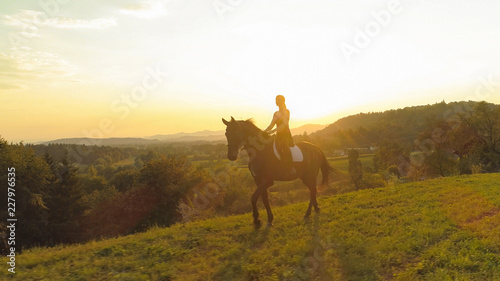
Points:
[[271, 157]]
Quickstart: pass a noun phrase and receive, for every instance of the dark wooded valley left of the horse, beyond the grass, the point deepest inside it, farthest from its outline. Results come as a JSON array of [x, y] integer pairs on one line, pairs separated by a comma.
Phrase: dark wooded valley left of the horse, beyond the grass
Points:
[[59, 200]]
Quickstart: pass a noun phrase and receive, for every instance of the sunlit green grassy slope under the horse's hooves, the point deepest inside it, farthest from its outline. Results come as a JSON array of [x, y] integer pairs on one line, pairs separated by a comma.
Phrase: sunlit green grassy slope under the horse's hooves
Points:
[[442, 229]]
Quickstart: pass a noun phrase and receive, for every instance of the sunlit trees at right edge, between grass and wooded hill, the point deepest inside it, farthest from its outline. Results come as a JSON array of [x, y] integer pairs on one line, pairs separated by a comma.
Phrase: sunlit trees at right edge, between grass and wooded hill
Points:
[[462, 141]]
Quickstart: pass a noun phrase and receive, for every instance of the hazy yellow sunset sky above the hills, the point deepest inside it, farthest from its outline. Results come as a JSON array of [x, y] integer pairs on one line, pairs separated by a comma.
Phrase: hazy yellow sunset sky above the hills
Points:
[[137, 68]]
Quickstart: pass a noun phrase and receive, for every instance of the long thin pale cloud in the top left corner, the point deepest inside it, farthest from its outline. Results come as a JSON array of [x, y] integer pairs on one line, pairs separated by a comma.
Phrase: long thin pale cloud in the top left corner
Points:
[[31, 20]]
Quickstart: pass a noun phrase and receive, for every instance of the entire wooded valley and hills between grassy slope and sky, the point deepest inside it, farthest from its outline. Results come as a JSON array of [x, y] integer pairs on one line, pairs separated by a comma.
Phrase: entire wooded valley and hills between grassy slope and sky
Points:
[[77, 193]]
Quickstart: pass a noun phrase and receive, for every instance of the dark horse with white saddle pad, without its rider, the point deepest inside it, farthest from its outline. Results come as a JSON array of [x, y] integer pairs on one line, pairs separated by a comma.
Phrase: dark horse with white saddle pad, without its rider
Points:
[[266, 168]]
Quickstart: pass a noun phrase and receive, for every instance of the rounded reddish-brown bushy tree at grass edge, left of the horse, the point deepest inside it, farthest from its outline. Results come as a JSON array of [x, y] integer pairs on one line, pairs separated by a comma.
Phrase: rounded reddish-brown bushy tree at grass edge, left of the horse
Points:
[[153, 200]]
